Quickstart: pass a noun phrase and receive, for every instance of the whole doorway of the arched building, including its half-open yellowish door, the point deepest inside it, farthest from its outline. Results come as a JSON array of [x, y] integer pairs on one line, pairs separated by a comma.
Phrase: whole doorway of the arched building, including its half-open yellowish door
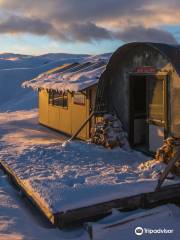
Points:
[[147, 112]]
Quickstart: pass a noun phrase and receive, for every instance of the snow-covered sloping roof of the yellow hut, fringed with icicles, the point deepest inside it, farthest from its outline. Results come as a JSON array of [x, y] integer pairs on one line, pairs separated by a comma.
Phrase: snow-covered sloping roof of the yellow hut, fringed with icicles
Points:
[[73, 77]]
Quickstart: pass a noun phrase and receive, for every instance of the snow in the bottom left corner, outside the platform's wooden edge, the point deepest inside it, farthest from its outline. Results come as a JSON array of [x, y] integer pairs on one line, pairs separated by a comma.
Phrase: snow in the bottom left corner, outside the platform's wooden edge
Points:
[[18, 221]]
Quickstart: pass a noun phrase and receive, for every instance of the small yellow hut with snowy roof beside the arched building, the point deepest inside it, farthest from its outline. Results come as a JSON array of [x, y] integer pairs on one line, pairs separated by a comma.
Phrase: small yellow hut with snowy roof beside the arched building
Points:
[[67, 95]]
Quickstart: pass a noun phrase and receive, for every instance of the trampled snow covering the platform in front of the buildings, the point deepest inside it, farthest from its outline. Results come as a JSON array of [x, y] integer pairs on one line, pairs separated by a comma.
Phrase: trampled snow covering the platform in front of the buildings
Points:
[[77, 175]]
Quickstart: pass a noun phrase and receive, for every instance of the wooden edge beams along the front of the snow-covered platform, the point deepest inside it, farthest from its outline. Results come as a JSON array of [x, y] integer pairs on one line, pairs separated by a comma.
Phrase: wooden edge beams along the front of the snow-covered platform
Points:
[[166, 194]]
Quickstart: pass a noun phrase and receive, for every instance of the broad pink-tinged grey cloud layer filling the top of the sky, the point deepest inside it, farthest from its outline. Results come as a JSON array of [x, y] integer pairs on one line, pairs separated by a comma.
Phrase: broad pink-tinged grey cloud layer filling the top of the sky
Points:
[[91, 20]]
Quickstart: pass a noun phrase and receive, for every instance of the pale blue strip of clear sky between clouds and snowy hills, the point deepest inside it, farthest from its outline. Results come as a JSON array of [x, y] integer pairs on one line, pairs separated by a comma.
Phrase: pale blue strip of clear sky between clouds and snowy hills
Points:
[[31, 44]]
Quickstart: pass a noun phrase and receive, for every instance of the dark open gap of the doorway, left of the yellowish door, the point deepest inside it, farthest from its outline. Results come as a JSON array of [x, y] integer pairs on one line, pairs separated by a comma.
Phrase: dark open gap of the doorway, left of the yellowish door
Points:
[[138, 111]]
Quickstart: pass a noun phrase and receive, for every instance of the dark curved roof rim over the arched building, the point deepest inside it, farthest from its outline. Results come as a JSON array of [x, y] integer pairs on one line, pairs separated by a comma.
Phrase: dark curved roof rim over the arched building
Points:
[[171, 52]]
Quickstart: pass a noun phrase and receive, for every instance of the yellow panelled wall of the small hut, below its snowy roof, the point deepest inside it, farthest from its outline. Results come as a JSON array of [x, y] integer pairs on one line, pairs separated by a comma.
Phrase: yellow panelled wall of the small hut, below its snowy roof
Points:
[[65, 120]]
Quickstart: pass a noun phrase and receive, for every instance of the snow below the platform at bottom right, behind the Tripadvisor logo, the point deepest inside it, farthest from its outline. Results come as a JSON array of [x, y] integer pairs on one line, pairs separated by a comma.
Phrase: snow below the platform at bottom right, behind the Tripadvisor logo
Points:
[[124, 224]]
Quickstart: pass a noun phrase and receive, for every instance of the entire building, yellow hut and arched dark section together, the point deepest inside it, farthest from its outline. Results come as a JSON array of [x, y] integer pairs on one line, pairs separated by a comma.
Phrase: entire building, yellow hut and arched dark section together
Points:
[[140, 85]]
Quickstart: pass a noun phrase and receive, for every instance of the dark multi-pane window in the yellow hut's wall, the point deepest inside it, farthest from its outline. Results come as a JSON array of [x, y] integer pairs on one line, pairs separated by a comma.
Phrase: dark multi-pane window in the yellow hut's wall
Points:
[[58, 99]]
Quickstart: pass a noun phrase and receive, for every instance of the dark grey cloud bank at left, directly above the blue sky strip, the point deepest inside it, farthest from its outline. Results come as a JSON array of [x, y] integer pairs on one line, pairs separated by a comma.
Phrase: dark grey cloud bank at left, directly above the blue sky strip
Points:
[[83, 32]]
